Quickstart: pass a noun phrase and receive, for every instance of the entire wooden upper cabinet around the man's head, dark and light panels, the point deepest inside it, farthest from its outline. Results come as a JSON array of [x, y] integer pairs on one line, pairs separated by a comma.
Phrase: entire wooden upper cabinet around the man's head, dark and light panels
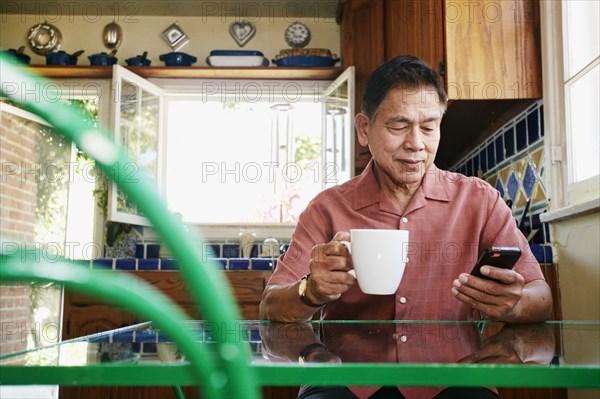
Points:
[[484, 50]]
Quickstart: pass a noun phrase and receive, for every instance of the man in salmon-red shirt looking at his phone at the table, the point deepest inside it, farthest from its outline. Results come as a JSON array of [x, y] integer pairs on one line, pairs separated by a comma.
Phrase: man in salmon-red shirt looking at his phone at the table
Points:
[[451, 219]]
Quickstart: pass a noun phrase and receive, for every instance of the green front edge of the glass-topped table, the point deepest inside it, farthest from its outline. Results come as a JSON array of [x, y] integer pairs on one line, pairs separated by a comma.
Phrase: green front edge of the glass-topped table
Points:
[[291, 374]]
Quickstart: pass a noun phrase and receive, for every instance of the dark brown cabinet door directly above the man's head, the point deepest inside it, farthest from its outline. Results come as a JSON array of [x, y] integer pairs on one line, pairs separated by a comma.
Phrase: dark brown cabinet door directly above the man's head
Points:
[[415, 27]]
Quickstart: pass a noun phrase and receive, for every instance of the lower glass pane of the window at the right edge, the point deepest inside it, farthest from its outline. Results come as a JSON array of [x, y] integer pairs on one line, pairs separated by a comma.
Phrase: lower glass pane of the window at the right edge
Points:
[[583, 125]]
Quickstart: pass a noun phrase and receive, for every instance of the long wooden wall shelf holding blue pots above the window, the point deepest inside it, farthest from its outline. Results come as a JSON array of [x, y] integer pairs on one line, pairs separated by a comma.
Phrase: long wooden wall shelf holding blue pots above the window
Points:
[[275, 73]]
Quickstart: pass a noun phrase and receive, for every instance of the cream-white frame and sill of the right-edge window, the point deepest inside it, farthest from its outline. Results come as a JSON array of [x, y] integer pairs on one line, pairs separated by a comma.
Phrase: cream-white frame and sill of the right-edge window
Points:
[[568, 199]]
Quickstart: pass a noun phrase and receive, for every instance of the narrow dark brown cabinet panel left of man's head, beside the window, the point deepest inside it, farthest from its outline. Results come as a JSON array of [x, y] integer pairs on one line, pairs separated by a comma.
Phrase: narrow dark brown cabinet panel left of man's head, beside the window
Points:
[[363, 48]]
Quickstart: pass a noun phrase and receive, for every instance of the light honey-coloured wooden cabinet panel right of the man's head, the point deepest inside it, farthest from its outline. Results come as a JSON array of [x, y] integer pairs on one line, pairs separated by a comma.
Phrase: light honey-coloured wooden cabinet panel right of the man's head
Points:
[[493, 49]]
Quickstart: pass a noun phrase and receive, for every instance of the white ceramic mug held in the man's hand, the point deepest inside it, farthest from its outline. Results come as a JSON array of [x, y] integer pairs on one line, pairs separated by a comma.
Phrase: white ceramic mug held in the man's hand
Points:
[[379, 257]]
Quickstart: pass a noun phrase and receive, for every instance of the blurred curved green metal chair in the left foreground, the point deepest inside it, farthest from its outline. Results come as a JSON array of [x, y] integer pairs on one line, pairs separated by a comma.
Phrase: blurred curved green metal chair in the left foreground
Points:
[[224, 373]]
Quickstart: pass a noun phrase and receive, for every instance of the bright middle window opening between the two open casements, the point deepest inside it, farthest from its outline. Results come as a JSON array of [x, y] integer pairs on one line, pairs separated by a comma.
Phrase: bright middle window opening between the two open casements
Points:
[[232, 162]]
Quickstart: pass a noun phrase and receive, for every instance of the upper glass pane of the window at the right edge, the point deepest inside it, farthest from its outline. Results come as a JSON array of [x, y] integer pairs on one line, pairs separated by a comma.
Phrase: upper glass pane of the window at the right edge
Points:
[[581, 35]]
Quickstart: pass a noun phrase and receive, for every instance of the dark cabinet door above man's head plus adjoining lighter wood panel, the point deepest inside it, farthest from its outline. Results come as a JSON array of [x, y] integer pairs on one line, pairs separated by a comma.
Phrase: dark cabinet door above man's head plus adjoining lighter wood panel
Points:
[[486, 50]]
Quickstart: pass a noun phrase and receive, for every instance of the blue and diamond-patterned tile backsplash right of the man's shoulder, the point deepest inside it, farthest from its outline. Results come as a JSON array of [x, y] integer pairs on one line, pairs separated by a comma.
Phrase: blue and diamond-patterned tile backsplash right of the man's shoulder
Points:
[[512, 161]]
